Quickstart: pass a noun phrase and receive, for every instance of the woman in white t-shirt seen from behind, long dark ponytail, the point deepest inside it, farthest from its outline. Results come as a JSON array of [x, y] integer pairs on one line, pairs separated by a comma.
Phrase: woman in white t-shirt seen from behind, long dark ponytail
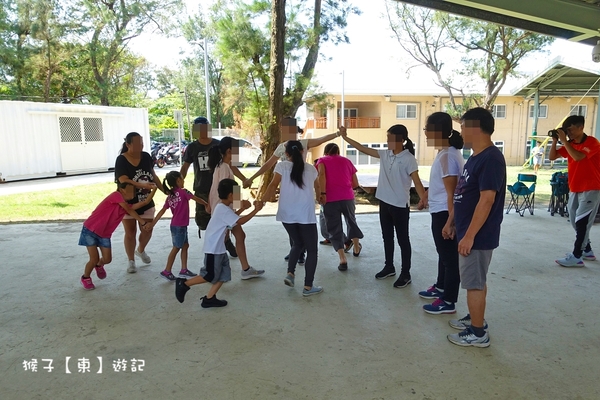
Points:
[[296, 210]]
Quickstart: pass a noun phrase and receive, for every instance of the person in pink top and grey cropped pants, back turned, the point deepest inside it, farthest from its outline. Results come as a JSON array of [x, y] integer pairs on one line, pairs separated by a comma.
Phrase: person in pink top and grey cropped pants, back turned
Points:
[[337, 179]]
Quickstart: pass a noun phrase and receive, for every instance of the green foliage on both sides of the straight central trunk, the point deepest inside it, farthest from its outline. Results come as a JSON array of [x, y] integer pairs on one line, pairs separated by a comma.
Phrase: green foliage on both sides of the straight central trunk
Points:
[[242, 36]]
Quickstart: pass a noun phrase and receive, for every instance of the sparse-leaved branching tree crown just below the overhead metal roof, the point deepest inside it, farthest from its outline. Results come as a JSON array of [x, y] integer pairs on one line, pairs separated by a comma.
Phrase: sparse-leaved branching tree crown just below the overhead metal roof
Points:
[[490, 52]]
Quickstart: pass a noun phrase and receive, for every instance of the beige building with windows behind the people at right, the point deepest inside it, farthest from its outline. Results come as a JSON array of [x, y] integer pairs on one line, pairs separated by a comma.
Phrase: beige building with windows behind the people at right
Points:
[[368, 117]]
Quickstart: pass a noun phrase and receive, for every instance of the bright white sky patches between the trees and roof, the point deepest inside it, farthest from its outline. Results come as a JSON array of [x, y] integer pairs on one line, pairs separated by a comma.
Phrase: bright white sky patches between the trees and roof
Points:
[[373, 62]]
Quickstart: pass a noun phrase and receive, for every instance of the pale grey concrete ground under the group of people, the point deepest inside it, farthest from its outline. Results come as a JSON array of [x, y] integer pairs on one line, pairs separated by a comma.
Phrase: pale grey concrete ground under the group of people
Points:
[[360, 339]]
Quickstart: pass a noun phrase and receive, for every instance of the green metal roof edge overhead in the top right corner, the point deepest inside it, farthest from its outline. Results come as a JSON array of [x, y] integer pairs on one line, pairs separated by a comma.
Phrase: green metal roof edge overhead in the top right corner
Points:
[[574, 20]]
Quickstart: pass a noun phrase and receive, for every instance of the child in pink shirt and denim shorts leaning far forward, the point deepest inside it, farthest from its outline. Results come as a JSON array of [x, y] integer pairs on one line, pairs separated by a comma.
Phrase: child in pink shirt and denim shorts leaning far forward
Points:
[[99, 227]]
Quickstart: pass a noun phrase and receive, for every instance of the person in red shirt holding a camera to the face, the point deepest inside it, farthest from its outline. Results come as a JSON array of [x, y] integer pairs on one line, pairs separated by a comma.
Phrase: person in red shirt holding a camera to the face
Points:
[[583, 163]]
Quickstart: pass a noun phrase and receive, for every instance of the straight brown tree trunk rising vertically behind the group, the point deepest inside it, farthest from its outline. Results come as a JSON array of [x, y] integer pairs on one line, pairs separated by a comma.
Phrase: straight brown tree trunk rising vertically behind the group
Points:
[[276, 75]]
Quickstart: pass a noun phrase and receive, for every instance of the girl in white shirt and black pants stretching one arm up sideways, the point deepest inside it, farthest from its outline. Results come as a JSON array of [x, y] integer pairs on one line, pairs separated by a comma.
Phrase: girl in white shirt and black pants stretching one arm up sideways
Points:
[[397, 171]]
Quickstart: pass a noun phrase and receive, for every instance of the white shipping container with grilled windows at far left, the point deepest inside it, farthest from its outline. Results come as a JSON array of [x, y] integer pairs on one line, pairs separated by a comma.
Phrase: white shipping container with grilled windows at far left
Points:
[[47, 139]]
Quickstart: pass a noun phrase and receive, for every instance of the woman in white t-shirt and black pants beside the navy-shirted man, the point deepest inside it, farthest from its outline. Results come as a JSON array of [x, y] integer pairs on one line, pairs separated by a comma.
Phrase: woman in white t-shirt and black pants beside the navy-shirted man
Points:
[[445, 171]]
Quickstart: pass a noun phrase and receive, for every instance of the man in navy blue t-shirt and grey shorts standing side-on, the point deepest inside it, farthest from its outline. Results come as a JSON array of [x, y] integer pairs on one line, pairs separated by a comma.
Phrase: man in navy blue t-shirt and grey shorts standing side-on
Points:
[[478, 212]]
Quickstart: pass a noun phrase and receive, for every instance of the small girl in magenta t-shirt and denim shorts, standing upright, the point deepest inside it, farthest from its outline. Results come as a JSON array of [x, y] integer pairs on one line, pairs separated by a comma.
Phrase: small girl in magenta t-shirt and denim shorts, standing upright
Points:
[[178, 201]]
